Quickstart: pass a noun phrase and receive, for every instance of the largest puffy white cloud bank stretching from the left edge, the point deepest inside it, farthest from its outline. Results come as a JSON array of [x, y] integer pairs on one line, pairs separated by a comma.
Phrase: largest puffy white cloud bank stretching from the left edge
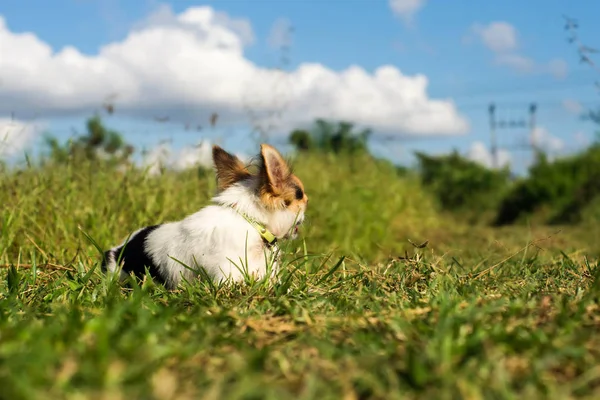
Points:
[[192, 64]]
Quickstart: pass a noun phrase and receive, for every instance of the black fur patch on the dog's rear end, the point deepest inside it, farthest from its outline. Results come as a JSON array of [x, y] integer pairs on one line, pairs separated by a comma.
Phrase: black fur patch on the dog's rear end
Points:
[[134, 257]]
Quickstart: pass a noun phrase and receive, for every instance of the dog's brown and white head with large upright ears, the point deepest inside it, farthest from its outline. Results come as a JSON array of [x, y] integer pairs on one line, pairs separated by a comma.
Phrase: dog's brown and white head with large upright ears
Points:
[[273, 187]]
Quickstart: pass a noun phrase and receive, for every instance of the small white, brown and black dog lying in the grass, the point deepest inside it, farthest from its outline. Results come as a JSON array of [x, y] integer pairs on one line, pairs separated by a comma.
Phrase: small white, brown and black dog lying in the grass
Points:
[[235, 237]]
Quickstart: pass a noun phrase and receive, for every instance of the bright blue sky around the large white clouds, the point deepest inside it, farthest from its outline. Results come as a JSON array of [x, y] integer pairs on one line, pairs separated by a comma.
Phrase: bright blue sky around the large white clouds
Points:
[[509, 52]]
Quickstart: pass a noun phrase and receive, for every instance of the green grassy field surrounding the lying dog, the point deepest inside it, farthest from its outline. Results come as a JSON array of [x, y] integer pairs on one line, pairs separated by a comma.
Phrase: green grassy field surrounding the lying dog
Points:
[[382, 297]]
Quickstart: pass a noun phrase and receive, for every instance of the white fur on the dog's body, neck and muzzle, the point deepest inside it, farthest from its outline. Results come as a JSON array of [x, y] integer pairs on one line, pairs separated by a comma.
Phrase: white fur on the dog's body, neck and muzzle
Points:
[[220, 240]]
